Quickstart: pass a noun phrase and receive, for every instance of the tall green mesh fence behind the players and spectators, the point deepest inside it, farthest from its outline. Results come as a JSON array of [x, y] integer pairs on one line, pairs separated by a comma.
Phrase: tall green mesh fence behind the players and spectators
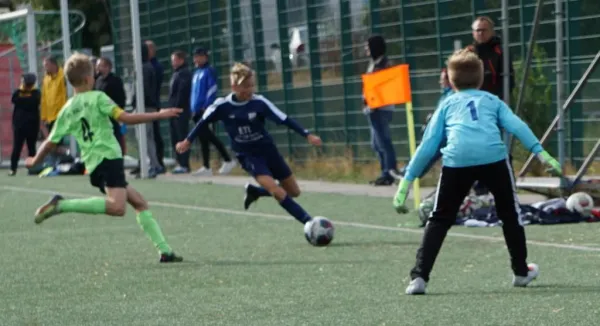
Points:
[[309, 56]]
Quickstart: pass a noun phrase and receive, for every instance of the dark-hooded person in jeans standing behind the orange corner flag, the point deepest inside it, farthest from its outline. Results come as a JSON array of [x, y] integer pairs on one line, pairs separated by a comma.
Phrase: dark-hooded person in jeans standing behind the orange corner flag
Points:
[[380, 118]]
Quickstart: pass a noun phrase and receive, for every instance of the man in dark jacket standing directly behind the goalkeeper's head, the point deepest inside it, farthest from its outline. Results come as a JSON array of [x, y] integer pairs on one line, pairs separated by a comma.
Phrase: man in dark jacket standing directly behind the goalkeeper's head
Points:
[[488, 47]]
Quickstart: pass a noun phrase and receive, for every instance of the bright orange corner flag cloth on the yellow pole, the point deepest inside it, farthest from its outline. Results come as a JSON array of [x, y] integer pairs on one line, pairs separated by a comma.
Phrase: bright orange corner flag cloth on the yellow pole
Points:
[[387, 87]]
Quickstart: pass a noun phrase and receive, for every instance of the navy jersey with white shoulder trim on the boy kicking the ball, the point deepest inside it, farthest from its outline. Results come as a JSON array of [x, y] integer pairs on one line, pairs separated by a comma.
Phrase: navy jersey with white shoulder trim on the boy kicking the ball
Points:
[[245, 122]]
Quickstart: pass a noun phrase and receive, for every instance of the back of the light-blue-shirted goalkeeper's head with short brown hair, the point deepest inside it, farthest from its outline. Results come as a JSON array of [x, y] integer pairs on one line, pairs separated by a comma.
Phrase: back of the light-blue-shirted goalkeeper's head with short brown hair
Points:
[[465, 70]]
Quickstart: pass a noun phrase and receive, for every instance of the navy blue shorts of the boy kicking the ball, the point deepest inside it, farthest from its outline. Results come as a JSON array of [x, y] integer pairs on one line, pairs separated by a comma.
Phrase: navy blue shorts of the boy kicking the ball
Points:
[[270, 163]]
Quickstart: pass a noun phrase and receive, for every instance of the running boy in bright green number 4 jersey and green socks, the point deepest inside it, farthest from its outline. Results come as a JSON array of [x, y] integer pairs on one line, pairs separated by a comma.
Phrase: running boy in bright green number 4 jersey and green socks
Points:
[[86, 116]]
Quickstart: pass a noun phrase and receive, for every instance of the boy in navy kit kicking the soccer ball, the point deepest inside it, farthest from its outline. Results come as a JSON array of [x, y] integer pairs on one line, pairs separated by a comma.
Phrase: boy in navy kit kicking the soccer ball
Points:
[[243, 114]]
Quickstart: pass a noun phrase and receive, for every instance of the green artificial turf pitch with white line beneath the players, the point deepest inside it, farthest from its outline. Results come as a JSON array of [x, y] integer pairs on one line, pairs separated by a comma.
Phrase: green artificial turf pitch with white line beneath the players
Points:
[[256, 268]]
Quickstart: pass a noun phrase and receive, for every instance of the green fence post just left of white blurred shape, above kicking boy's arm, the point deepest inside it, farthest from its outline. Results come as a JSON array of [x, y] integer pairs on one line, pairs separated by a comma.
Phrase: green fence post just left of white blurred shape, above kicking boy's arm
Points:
[[286, 70]]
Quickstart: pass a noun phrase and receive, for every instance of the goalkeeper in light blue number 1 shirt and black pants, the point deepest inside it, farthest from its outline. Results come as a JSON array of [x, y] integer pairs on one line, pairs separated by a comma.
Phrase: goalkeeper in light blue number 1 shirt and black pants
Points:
[[470, 122]]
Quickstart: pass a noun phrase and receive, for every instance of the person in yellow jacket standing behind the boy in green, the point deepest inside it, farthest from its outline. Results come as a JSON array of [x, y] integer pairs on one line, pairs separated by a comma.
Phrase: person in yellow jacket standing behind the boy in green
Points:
[[54, 92]]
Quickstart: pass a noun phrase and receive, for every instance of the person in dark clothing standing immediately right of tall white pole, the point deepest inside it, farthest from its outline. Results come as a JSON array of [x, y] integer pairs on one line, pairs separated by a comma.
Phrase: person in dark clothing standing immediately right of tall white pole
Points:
[[151, 105]]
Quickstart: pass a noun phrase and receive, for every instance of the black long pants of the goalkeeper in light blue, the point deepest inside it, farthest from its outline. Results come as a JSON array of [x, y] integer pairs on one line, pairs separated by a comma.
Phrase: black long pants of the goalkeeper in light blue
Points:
[[453, 186]]
